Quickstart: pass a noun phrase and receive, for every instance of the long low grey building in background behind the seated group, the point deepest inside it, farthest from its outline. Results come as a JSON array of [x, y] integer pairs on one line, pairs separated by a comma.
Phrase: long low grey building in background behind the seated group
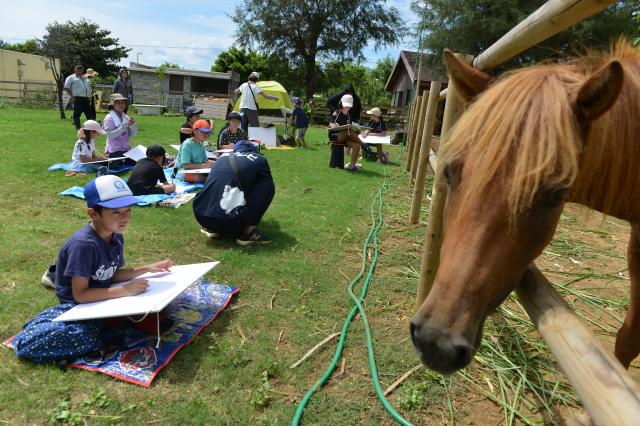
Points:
[[178, 89]]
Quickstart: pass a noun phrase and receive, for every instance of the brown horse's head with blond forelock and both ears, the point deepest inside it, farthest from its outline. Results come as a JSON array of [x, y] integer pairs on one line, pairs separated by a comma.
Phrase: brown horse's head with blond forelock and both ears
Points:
[[509, 164]]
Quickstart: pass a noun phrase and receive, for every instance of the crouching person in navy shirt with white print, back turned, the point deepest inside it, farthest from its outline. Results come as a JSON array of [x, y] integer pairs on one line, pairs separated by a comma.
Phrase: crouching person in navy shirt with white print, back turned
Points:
[[235, 196]]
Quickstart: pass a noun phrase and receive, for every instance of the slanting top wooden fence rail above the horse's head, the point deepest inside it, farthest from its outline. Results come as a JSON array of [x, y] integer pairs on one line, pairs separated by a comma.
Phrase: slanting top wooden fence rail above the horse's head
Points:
[[551, 18]]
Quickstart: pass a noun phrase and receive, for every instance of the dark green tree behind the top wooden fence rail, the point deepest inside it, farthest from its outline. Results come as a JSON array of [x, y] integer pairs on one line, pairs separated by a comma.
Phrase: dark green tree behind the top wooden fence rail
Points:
[[469, 26]]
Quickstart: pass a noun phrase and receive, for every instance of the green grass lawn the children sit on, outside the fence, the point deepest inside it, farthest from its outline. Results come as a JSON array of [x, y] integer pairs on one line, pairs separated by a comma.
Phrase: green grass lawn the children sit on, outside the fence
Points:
[[318, 220]]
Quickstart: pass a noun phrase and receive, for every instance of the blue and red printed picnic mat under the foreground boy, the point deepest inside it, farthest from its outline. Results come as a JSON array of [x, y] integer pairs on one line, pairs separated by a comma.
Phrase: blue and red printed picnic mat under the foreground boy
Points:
[[140, 362]]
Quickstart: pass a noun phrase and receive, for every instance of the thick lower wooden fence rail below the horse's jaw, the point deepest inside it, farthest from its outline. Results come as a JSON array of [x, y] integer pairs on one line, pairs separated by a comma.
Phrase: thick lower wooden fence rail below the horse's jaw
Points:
[[607, 391]]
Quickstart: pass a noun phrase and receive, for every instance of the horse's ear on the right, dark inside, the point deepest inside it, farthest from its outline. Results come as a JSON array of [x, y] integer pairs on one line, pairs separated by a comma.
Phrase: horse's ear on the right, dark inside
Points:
[[599, 92]]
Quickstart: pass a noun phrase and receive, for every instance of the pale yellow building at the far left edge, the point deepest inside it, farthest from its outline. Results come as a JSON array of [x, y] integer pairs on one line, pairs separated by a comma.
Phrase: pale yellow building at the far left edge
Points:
[[25, 78]]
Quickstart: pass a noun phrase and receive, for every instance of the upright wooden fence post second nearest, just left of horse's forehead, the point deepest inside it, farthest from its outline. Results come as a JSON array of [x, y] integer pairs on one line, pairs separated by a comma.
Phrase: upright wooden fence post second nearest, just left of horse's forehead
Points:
[[425, 150]]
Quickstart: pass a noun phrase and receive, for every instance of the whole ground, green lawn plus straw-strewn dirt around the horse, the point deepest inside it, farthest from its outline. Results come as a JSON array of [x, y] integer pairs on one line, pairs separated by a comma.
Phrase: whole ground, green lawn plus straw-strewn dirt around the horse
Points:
[[319, 220]]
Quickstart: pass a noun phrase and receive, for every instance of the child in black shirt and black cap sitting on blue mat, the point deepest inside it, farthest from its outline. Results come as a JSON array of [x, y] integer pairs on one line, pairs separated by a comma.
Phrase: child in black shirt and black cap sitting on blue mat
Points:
[[148, 171]]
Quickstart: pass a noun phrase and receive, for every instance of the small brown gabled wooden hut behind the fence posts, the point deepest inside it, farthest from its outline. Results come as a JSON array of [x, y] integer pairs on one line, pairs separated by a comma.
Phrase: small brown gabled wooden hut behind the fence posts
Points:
[[402, 80]]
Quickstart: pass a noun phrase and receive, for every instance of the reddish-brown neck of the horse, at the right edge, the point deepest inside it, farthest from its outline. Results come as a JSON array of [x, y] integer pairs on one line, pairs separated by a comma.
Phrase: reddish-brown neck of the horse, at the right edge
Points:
[[610, 162]]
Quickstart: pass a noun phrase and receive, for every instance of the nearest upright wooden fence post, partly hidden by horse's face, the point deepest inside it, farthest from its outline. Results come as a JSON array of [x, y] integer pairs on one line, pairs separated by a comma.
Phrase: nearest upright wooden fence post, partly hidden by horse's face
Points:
[[433, 238]]
